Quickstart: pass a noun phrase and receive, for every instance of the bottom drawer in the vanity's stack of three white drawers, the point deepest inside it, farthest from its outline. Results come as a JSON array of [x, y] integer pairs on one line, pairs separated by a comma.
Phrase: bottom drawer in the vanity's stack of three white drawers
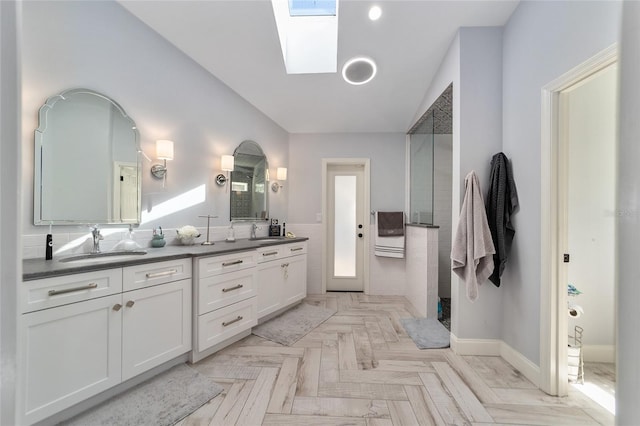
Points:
[[221, 324]]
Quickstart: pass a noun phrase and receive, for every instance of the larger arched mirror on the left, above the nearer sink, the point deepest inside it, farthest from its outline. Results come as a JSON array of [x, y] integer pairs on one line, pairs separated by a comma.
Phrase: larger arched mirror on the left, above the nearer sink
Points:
[[87, 165]]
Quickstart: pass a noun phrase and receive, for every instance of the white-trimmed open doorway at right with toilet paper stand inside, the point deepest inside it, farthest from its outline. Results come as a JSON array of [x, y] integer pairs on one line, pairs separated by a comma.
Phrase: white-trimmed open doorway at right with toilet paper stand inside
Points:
[[578, 165]]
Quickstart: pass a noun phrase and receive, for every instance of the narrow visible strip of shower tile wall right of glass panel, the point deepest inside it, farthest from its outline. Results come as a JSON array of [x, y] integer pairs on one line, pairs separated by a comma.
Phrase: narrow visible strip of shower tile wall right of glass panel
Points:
[[442, 181]]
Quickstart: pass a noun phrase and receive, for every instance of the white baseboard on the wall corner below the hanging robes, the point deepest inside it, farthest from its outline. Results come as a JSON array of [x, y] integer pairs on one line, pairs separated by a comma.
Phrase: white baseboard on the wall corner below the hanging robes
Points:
[[496, 347]]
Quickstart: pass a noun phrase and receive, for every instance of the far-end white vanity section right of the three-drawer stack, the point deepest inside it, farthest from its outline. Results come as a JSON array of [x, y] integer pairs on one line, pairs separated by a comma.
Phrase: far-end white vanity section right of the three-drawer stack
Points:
[[282, 276]]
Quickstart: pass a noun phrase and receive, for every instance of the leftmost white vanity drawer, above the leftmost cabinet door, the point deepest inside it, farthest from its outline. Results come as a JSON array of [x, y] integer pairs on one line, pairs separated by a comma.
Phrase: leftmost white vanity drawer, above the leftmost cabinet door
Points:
[[57, 291]]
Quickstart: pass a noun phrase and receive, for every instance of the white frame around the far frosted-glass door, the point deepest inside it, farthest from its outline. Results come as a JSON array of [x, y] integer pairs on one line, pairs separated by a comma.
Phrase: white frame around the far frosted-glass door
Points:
[[326, 163]]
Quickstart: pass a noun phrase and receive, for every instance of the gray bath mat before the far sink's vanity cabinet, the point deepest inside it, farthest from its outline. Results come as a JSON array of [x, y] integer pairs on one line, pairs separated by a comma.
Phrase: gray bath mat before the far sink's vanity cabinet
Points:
[[292, 325]]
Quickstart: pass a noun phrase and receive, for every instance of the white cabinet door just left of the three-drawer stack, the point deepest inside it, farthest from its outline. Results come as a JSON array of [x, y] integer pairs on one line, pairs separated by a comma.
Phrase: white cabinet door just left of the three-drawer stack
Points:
[[156, 326]]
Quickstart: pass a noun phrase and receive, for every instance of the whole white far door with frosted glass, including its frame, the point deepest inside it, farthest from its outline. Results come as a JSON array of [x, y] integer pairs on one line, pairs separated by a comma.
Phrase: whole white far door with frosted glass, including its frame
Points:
[[346, 223]]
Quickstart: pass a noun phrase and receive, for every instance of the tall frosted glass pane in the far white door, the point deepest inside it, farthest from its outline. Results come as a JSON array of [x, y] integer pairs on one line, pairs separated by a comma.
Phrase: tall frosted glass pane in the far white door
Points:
[[345, 227]]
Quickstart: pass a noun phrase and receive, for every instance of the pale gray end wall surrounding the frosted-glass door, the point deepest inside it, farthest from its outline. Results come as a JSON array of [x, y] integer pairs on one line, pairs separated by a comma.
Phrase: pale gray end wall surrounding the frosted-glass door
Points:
[[387, 154]]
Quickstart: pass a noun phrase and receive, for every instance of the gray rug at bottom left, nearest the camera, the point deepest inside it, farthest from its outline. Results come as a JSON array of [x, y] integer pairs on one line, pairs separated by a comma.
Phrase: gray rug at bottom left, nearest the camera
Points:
[[162, 400]]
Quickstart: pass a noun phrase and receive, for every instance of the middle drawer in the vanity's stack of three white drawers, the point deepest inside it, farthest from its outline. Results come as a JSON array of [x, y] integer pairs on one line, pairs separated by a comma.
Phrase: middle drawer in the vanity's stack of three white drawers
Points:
[[219, 291]]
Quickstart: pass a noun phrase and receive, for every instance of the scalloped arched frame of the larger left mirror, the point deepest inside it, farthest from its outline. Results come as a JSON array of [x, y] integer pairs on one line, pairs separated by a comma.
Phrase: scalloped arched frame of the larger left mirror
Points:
[[40, 140]]
